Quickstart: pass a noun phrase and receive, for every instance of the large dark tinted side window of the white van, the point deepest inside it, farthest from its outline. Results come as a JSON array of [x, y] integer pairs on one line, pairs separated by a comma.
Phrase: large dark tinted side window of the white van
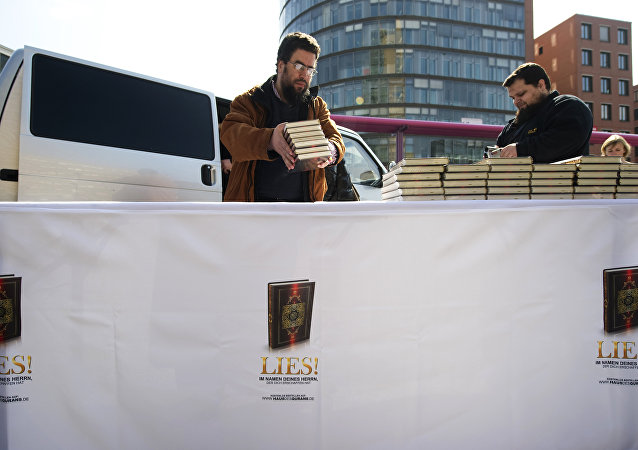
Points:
[[80, 103]]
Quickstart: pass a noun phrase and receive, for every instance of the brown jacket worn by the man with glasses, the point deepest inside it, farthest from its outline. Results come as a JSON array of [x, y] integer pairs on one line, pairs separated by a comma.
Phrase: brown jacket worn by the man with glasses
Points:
[[247, 140]]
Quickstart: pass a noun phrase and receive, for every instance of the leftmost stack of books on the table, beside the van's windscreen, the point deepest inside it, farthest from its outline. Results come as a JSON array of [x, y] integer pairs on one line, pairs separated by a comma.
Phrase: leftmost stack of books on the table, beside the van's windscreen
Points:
[[414, 179]]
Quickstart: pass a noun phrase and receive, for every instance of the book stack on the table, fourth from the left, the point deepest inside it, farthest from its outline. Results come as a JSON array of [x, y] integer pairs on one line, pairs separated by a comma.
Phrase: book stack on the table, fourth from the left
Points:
[[553, 181]]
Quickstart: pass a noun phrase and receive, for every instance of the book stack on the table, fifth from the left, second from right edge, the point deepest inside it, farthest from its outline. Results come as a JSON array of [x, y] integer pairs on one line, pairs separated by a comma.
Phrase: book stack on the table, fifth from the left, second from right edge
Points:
[[597, 176]]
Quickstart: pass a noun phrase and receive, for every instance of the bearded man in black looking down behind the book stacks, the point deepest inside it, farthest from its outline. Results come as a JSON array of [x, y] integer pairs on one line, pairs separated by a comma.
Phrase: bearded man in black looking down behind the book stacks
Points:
[[548, 126]]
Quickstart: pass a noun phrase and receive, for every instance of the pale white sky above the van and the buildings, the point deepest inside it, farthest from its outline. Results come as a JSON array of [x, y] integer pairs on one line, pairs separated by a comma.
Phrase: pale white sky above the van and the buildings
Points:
[[224, 47]]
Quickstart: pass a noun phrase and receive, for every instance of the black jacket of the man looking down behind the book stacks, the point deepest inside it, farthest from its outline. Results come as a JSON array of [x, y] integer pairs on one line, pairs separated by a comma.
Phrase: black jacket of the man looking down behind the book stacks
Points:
[[559, 130]]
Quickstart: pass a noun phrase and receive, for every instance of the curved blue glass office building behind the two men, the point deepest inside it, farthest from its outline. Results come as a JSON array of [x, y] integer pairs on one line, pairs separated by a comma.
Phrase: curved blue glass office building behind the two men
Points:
[[442, 60]]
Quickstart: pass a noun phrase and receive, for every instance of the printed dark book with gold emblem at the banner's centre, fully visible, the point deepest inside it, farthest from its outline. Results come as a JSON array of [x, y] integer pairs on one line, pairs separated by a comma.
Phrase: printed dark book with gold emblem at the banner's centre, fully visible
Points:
[[289, 312]]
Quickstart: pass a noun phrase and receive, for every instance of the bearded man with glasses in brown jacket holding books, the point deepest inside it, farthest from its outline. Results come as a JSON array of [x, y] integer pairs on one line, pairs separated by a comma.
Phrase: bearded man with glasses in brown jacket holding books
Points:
[[253, 131]]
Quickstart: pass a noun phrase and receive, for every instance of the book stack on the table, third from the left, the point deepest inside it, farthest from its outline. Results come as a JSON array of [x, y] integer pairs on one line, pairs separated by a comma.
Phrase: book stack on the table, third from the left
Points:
[[508, 178]]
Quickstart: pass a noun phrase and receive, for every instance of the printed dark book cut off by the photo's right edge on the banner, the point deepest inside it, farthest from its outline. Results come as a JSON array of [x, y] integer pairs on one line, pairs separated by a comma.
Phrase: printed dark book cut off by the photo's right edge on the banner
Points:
[[620, 309]]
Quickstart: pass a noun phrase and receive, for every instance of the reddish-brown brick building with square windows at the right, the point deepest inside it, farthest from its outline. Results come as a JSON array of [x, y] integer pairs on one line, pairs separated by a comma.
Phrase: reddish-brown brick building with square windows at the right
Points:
[[590, 57]]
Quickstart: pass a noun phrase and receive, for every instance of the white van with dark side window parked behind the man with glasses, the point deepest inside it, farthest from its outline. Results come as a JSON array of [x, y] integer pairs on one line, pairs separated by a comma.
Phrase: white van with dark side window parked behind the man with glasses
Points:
[[73, 130]]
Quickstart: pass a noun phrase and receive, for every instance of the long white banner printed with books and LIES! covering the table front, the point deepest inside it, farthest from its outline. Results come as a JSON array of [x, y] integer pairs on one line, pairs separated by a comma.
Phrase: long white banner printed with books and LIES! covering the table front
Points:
[[435, 325]]
